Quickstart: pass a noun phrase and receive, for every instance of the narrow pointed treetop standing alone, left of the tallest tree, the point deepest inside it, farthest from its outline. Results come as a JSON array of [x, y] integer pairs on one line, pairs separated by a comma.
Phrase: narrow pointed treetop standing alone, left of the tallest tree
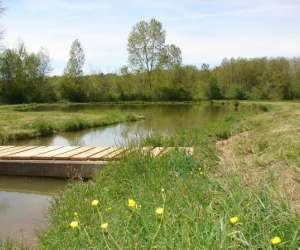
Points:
[[76, 62]]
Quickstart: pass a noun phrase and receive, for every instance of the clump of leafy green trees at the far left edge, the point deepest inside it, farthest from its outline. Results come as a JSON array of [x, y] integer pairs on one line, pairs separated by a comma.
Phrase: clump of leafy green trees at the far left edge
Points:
[[23, 76]]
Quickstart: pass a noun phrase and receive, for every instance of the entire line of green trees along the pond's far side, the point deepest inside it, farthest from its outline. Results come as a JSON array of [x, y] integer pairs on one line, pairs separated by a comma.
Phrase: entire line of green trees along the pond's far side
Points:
[[154, 73]]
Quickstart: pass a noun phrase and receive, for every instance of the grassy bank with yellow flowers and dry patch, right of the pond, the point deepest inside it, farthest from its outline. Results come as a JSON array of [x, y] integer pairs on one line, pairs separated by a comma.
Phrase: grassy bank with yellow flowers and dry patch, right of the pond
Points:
[[241, 190]]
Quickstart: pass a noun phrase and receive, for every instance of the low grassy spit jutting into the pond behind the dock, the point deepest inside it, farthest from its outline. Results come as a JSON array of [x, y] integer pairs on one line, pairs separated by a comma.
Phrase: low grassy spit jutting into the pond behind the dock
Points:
[[30, 121]]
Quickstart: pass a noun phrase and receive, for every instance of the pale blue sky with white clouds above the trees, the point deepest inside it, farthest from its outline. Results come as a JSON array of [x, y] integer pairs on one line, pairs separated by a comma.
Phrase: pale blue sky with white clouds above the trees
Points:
[[206, 30]]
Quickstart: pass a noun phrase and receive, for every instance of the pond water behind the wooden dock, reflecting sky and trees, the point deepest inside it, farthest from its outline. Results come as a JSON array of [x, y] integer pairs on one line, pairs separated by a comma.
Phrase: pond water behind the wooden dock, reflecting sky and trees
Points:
[[164, 119]]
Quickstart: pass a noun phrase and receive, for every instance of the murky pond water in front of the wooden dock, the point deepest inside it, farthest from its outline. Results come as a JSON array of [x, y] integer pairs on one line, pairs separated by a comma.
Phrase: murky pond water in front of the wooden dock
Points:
[[24, 204]]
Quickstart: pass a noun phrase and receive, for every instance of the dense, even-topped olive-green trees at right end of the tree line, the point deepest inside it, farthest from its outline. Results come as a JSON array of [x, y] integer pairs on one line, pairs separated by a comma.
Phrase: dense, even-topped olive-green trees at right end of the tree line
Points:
[[259, 78]]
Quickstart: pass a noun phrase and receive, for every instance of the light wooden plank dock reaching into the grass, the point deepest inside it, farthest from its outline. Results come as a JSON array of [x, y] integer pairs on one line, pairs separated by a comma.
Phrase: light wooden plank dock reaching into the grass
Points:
[[65, 161]]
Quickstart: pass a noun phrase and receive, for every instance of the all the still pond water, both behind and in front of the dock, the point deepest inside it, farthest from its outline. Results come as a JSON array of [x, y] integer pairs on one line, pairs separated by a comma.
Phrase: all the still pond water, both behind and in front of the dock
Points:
[[24, 202]]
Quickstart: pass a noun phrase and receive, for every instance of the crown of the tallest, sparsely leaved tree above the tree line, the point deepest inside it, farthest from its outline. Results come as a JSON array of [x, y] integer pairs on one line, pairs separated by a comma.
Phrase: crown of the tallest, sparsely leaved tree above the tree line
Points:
[[146, 43]]
